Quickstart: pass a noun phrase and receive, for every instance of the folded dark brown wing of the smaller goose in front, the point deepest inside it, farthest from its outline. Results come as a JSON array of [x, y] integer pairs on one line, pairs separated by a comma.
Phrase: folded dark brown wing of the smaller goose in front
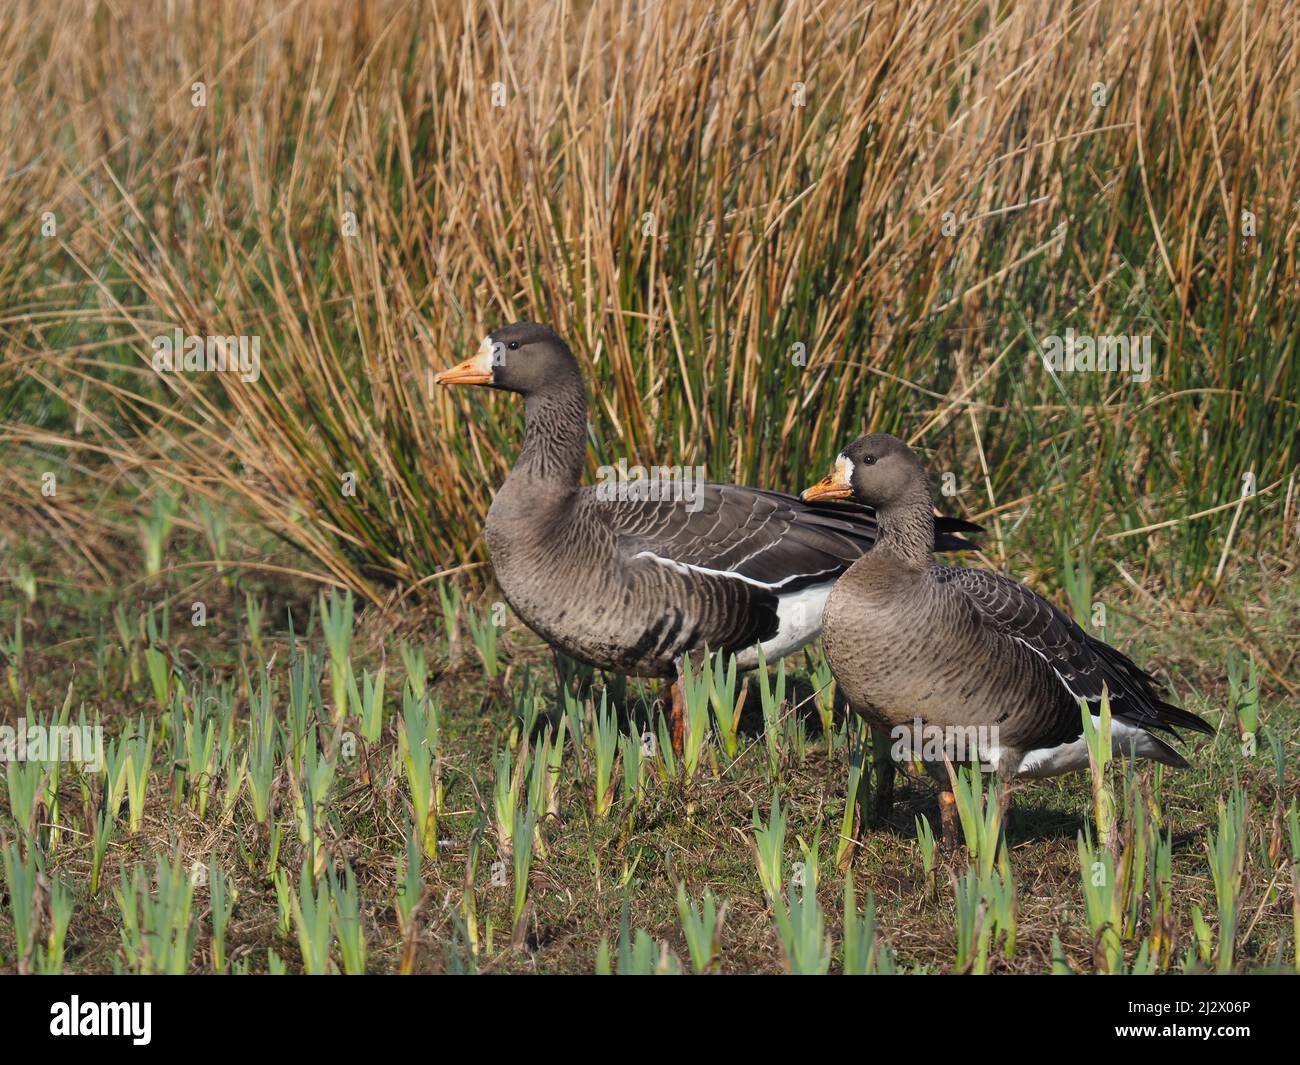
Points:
[[1082, 664]]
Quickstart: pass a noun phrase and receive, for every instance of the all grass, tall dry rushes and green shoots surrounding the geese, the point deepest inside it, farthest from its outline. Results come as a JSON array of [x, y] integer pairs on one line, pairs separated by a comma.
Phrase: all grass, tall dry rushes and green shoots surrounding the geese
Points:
[[766, 230]]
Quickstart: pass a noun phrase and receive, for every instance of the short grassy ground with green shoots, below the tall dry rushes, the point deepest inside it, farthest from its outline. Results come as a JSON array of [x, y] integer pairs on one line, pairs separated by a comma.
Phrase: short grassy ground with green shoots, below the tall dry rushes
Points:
[[534, 842]]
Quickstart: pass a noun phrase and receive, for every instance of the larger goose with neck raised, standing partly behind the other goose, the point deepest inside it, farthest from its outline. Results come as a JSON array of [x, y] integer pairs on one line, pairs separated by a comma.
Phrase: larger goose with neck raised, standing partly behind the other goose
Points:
[[634, 586]]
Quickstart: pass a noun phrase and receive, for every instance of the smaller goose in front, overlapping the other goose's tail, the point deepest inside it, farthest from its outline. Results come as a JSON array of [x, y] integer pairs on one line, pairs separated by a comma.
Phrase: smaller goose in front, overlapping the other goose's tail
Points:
[[950, 659]]
